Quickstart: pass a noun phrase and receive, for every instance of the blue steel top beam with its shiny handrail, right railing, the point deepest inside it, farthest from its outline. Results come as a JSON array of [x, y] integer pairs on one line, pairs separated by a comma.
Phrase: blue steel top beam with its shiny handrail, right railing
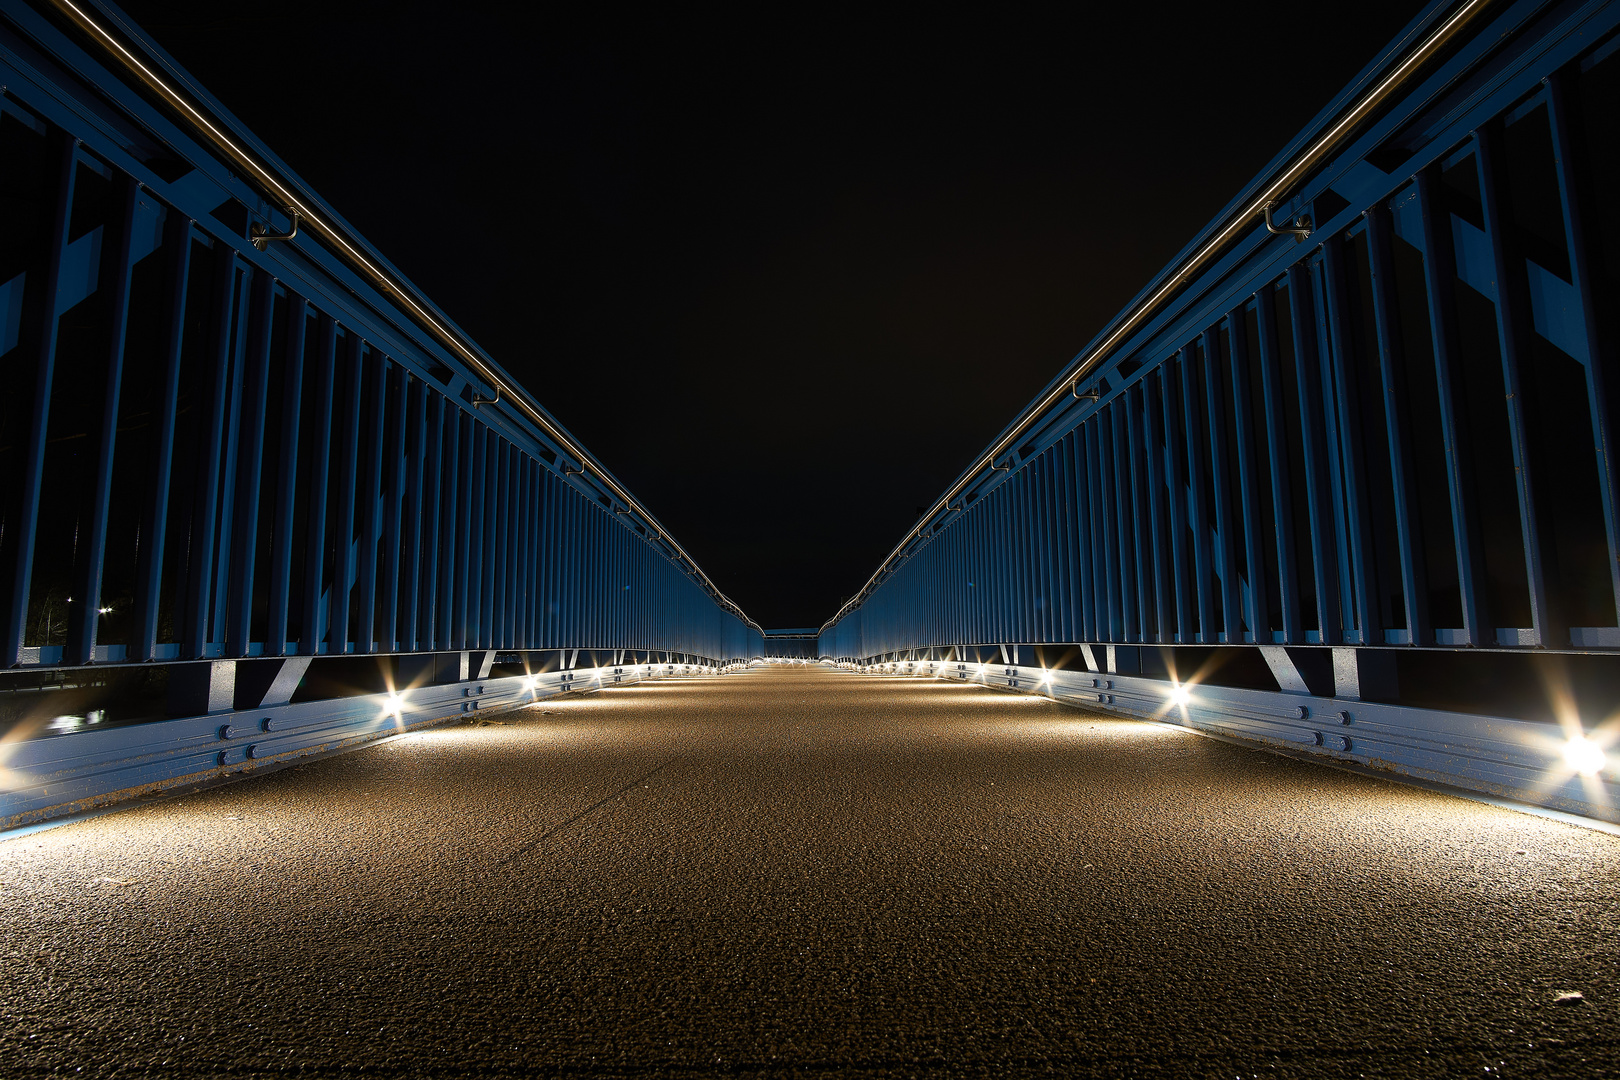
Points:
[[1226, 231]]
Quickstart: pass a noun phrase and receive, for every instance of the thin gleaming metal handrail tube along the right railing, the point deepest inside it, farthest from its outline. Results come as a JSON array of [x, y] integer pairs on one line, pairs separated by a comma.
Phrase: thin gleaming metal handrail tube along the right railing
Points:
[[1238, 223]]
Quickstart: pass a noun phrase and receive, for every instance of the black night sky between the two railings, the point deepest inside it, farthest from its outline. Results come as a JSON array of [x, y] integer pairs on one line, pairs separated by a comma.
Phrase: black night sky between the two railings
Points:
[[785, 276]]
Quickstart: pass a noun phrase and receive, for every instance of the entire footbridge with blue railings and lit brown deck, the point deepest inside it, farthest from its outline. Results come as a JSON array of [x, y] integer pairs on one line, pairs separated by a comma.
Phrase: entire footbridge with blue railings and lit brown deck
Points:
[[1051, 794]]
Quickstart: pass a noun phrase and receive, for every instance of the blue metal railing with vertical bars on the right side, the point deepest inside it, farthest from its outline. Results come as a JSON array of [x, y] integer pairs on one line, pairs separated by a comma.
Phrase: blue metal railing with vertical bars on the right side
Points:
[[1392, 438]]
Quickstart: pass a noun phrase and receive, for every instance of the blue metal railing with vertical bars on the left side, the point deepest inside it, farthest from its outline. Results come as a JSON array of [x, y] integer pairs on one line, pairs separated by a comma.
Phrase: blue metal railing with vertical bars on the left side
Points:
[[231, 444]]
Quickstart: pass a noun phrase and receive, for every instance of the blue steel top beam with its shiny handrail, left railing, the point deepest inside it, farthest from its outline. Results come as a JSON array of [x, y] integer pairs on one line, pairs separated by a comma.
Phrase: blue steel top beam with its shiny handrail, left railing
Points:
[[312, 215]]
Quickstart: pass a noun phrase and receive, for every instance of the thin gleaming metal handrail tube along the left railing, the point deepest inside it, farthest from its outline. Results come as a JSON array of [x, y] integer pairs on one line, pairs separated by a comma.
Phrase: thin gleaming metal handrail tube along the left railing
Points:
[[349, 249]]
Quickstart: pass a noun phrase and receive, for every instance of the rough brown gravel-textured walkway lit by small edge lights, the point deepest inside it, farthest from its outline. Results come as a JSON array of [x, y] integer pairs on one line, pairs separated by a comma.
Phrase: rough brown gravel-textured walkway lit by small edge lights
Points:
[[798, 872]]
